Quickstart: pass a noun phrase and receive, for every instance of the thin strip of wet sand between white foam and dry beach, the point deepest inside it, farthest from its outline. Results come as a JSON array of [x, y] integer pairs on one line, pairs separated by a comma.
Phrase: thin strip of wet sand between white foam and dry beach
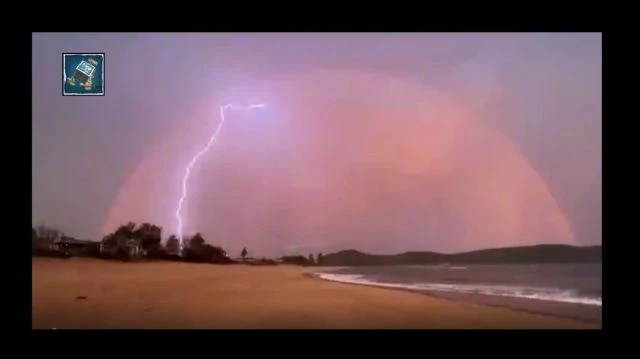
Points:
[[587, 314]]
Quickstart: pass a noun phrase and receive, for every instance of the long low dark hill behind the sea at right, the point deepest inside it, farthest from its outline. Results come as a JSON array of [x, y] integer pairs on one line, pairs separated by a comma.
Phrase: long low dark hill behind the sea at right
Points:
[[546, 253]]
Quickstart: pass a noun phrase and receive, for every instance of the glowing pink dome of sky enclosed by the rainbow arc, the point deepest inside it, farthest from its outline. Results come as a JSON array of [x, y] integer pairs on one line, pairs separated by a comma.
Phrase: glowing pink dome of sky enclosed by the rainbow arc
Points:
[[344, 159]]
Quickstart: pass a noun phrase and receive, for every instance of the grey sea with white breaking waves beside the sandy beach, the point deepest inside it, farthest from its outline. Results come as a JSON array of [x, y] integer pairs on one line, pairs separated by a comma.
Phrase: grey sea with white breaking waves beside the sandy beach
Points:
[[565, 290]]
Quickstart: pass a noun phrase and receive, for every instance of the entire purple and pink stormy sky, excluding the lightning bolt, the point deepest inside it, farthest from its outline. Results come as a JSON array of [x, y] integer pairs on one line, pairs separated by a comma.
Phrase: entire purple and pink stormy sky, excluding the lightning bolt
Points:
[[379, 142]]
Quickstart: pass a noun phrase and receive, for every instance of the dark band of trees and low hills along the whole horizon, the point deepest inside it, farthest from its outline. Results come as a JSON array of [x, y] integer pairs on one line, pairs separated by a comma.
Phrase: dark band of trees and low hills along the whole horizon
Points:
[[144, 242]]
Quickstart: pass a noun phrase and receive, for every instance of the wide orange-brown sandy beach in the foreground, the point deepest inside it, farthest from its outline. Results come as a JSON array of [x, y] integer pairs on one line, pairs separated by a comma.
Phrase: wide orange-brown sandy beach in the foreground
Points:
[[96, 294]]
